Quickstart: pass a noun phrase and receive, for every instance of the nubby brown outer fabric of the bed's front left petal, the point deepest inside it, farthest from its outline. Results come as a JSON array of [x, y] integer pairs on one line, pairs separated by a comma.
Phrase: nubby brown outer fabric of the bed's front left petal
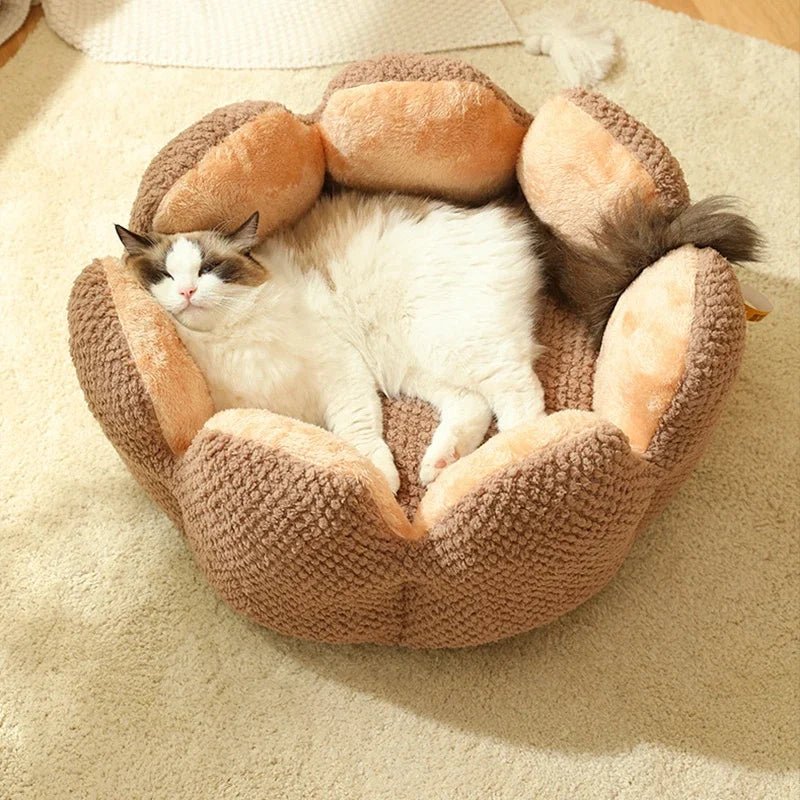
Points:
[[290, 545]]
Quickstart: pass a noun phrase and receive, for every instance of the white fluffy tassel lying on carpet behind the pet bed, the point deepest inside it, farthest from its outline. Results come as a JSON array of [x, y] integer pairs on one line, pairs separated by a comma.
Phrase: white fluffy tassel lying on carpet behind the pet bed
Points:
[[583, 51]]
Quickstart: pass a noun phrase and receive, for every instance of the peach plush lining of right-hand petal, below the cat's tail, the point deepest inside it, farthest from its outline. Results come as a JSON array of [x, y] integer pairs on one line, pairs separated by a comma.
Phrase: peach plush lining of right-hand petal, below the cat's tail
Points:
[[643, 355]]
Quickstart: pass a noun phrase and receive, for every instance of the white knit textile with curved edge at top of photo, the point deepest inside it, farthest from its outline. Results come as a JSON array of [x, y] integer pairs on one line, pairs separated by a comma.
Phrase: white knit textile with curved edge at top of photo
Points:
[[273, 33]]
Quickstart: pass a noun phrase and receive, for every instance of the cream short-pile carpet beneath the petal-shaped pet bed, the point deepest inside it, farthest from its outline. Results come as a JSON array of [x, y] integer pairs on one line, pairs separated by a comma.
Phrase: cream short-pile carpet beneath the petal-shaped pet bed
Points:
[[121, 674]]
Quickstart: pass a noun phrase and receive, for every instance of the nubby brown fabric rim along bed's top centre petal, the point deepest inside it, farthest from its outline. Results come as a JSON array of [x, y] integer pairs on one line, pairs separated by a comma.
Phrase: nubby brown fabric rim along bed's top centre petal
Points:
[[414, 67]]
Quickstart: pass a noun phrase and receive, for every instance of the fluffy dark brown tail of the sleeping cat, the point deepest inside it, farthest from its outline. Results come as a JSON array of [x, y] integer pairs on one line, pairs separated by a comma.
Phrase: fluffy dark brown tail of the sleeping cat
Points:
[[589, 279]]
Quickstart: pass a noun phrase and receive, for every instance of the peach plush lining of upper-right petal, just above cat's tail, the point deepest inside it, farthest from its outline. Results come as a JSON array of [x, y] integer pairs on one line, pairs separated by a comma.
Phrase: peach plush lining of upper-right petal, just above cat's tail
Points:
[[573, 170]]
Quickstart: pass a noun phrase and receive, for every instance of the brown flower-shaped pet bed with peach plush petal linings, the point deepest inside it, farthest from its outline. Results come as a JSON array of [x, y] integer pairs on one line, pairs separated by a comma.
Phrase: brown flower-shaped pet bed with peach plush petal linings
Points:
[[295, 529]]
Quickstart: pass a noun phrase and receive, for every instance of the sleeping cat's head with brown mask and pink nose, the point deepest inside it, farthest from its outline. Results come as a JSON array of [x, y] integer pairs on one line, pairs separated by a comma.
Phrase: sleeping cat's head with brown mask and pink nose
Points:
[[202, 278]]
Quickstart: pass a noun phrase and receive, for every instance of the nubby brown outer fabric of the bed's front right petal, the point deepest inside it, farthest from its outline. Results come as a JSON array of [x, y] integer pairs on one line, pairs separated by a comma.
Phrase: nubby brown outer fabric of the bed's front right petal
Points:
[[537, 540]]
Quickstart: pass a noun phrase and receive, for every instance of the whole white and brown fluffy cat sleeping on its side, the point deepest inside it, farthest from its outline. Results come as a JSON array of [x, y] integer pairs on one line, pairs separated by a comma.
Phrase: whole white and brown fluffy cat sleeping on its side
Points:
[[393, 294]]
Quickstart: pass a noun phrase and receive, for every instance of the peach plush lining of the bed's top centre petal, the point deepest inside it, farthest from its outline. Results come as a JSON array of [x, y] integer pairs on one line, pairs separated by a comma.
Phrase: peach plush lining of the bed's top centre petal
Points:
[[454, 138]]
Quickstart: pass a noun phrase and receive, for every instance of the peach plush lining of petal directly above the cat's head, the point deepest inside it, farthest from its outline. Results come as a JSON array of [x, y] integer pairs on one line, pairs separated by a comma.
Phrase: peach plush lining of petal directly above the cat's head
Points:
[[273, 164]]
